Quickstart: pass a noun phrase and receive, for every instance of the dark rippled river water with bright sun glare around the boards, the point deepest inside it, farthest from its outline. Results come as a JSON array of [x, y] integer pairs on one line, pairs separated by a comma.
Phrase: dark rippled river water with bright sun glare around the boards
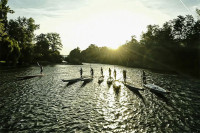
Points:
[[46, 104]]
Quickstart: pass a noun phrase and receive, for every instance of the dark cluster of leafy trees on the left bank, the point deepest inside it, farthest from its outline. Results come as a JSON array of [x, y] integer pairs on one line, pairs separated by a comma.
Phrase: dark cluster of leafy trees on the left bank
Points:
[[19, 44]]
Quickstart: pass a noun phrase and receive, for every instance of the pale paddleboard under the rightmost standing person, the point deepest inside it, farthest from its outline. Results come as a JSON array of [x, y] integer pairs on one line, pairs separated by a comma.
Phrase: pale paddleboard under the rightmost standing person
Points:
[[156, 88]]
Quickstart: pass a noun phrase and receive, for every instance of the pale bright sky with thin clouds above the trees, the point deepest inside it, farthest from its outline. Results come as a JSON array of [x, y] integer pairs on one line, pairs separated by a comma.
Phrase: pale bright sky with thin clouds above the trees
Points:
[[102, 22]]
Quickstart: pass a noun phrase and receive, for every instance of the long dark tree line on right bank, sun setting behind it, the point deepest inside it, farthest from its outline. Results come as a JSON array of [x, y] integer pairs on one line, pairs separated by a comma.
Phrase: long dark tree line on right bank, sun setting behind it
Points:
[[175, 46]]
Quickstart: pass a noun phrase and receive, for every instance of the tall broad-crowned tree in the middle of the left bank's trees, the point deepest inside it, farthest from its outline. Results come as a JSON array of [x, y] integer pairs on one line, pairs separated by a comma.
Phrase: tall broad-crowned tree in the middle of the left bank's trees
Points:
[[22, 30]]
